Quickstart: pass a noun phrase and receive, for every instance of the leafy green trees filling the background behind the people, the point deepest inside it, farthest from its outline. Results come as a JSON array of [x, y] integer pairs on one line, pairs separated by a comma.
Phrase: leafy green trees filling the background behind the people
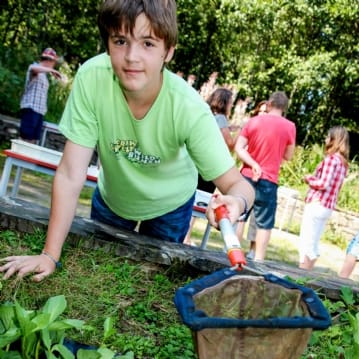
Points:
[[307, 48]]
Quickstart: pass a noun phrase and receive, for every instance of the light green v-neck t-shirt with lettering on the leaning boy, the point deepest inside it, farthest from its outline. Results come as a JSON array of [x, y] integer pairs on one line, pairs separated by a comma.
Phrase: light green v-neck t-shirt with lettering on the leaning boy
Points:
[[148, 166]]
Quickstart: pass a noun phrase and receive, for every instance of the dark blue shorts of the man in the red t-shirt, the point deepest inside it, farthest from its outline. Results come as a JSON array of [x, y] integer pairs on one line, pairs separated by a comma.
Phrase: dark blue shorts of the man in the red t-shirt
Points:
[[265, 203]]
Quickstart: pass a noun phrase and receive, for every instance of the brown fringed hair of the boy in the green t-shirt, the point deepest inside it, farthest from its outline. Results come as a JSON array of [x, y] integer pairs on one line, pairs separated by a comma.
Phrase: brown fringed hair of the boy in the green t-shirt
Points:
[[115, 15]]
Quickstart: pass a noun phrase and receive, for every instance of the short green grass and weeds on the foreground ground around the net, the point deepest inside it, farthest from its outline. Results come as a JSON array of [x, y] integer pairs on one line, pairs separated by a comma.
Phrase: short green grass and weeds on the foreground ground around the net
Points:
[[139, 299]]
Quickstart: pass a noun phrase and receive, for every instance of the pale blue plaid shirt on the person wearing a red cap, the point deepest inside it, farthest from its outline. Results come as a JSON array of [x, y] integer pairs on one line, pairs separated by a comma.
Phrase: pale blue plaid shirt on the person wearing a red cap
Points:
[[35, 95]]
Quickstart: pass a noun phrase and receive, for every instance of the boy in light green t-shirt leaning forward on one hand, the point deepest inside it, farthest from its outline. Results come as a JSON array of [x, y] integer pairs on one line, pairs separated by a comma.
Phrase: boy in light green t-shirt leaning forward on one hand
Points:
[[153, 133]]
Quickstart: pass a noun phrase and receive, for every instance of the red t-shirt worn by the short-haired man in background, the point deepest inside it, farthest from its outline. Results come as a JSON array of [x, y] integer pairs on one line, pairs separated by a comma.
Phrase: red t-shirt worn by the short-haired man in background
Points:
[[268, 137]]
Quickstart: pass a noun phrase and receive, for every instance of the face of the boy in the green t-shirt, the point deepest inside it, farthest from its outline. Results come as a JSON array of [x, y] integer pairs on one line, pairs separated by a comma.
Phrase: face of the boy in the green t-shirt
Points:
[[138, 59]]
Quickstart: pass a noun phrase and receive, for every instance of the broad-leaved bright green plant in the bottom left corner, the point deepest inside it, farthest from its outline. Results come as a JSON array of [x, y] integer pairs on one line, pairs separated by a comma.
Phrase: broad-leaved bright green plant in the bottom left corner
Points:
[[29, 334]]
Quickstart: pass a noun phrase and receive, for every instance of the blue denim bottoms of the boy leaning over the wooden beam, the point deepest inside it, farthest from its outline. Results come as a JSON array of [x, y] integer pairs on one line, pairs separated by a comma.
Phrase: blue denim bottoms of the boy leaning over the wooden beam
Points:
[[172, 226]]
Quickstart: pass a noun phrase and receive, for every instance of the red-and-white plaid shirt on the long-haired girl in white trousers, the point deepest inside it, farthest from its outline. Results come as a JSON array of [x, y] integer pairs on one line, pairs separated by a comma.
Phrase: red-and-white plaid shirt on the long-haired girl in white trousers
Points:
[[327, 181]]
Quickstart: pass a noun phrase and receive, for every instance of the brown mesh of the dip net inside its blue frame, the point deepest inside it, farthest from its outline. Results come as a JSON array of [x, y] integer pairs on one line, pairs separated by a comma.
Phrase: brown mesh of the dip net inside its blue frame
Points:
[[250, 297]]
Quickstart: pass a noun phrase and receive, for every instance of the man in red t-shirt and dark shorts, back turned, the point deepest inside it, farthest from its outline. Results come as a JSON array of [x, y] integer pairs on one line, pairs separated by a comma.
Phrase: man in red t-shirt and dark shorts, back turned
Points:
[[264, 142]]
